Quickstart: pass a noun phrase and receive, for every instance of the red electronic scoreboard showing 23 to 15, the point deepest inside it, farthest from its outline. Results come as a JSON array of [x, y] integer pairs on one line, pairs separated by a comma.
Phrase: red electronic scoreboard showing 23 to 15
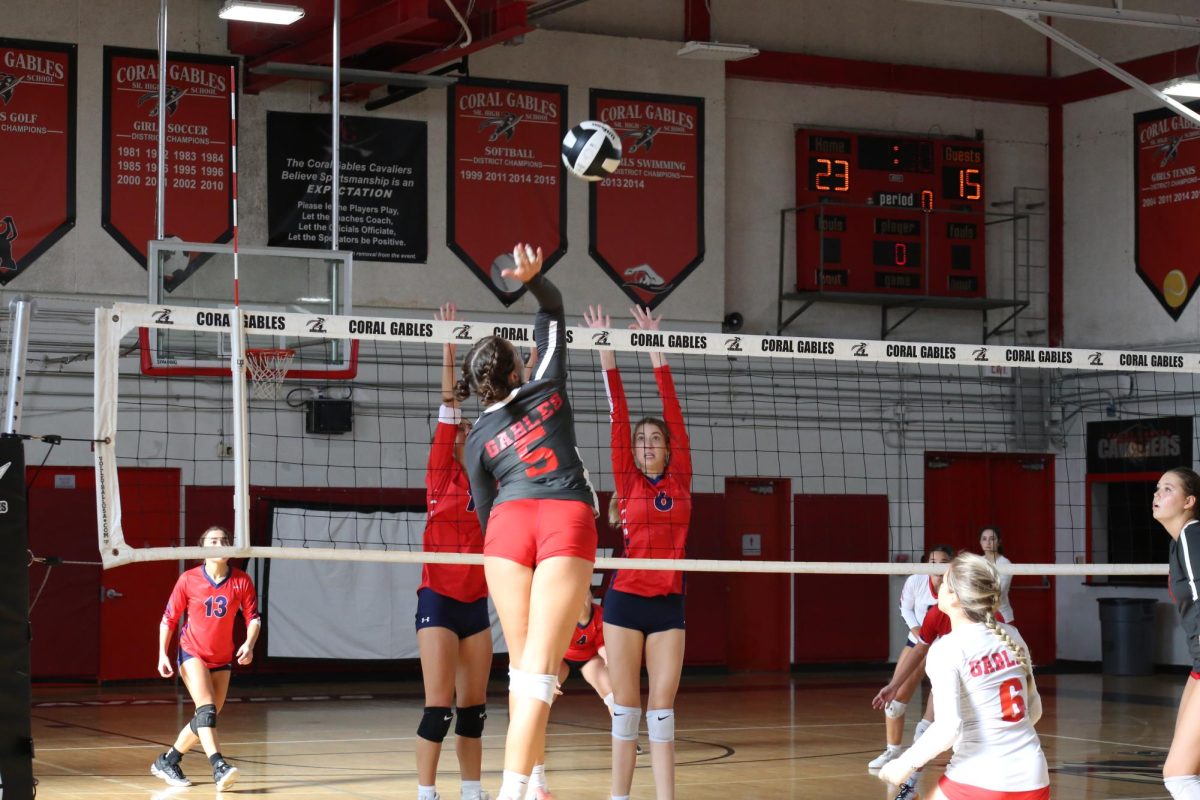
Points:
[[890, 214]]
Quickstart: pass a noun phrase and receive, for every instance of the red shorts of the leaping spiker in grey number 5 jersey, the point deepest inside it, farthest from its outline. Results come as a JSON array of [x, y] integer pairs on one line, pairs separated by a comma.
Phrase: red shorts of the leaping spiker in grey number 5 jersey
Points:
[[532, 531]]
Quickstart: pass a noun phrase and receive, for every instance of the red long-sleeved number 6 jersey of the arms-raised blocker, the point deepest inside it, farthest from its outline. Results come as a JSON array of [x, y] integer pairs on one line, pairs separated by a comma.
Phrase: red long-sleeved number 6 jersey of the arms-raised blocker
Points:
[[655, 514]]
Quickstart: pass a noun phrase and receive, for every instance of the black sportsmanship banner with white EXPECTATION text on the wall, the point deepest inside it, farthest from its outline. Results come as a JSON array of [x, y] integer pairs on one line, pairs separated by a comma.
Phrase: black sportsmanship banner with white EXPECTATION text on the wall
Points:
[[383, 213]]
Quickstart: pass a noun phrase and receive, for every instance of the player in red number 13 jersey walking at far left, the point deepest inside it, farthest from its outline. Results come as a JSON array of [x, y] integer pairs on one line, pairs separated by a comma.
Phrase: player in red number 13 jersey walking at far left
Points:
[[206, 600]]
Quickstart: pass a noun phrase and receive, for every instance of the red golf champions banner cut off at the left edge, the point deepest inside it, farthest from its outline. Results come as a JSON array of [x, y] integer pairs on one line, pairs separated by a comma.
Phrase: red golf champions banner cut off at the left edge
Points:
[[38, 151]]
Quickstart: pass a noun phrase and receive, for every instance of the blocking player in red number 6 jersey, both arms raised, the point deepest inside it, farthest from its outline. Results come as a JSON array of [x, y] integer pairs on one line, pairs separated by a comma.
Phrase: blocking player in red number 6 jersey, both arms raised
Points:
[[645, 609]]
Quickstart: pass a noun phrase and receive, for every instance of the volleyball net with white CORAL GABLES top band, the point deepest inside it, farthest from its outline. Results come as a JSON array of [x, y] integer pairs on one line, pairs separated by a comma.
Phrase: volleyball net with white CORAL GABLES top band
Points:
[[867, 453]]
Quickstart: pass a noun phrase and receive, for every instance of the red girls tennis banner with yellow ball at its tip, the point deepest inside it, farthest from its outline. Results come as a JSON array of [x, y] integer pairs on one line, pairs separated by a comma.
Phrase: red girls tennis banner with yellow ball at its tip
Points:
[[1167, 187]]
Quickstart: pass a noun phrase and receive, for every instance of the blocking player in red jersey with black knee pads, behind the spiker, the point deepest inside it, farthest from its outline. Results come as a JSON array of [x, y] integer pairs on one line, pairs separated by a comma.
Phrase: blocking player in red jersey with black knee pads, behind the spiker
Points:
[[454, 633]]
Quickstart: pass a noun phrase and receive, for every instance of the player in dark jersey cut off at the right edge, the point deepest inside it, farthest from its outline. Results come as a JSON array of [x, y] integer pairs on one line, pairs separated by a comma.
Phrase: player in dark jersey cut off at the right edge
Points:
[[1175, 508]]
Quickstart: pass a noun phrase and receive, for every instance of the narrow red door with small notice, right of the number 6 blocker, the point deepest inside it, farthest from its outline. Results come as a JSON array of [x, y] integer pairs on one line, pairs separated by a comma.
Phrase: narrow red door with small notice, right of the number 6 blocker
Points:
[[758, 530]]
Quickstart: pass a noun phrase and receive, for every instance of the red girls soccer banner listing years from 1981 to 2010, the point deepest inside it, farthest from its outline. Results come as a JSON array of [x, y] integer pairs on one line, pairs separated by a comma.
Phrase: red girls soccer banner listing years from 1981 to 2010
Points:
[[200, 191]]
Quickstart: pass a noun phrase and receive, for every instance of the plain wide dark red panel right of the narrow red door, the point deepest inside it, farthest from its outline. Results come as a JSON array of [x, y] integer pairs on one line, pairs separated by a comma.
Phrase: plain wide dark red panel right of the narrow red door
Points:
[[842, 528]]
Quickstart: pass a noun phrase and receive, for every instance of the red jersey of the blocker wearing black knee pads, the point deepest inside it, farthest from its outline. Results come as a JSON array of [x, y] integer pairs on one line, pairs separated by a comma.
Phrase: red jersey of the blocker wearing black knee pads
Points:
[[453, 526]]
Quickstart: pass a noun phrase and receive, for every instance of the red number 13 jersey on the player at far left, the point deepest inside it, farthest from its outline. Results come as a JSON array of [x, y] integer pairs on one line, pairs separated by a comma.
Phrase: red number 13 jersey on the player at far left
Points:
[[208, 610]]
